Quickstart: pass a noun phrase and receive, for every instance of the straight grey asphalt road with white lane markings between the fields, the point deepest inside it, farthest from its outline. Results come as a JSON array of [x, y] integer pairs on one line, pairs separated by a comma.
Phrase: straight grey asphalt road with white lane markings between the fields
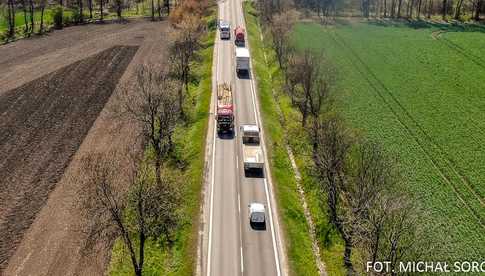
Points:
[[233, 247]]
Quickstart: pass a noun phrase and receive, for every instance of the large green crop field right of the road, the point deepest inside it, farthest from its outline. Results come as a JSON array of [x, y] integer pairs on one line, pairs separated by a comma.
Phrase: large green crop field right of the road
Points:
[[419, 90]]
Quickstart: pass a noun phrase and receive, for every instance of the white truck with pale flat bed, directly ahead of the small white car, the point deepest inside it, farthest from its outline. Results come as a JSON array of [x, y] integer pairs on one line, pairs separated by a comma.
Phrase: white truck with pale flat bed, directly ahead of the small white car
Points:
[[252, 152]]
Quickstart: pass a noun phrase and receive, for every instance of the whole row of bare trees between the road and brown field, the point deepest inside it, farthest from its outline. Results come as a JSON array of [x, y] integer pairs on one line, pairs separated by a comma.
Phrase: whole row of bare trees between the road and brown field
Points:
[[150, 209]]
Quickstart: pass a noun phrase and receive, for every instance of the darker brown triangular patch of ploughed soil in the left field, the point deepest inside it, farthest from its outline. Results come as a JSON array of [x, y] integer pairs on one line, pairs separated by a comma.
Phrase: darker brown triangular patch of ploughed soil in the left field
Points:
[[43, 124]]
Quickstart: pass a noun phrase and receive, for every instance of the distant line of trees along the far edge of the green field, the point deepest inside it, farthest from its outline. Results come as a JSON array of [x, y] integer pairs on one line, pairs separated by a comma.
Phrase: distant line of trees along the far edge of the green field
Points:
[[325, 9]]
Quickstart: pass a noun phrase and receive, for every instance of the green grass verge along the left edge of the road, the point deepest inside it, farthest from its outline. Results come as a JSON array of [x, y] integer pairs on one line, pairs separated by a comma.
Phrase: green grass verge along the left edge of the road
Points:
[[189, 162]]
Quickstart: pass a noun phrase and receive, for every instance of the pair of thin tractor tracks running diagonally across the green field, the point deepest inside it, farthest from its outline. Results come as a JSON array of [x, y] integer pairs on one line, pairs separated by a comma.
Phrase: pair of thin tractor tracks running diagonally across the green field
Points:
[[440, 169]]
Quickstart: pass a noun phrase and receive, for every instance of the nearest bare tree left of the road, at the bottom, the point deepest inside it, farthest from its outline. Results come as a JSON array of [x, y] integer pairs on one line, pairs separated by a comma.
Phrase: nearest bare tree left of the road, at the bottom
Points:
[[147, 211]]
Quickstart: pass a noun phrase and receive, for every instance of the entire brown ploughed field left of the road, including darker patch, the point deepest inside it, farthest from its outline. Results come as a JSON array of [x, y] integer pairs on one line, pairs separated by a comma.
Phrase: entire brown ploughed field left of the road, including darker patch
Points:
[[50, 131]]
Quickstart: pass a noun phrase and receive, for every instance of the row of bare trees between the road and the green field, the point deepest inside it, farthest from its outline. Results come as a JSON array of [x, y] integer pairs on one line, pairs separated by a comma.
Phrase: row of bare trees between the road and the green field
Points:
[[358, 182]]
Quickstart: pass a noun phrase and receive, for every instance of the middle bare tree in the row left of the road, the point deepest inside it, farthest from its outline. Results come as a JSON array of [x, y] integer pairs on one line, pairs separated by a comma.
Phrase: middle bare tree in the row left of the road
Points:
[[153, 104]]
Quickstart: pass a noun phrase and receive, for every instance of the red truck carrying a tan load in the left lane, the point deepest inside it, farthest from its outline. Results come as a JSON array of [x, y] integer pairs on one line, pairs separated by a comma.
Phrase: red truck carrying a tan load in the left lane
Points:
[[225, 109]]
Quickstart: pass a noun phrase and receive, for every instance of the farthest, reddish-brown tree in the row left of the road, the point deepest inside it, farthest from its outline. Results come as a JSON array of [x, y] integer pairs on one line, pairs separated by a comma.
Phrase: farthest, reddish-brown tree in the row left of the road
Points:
[[182, 53]]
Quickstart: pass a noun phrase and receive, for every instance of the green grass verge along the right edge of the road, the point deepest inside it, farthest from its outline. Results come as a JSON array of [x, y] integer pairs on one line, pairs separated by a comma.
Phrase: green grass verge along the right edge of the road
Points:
[[298, 242]]
